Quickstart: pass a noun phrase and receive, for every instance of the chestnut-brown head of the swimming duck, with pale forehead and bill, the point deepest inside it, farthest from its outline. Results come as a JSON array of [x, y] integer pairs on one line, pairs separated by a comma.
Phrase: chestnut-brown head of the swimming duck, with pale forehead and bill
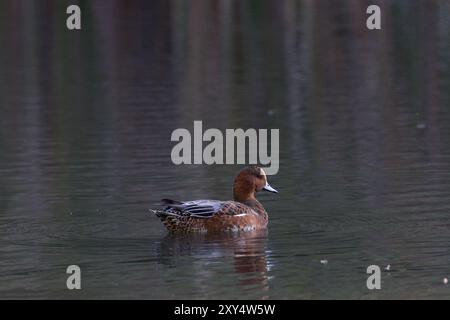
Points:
[[249, 181]]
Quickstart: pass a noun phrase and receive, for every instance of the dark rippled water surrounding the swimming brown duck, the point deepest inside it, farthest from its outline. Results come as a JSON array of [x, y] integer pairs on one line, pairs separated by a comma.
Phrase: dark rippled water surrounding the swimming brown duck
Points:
[[85, 128]]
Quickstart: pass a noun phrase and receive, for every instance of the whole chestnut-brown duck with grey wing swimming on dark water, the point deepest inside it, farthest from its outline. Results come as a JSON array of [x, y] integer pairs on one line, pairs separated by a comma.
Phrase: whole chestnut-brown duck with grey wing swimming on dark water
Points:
[[243, 213]]
